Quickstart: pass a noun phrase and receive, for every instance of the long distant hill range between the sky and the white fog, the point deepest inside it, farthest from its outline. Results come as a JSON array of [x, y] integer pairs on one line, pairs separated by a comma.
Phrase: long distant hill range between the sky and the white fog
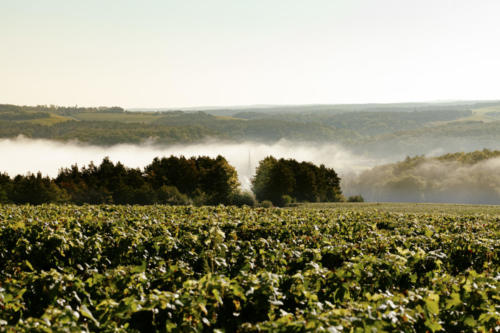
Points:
[[390, 130]]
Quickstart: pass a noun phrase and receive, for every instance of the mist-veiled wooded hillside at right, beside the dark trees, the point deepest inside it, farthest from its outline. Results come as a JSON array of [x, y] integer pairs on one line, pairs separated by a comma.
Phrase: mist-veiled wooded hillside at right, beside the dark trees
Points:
[[452, 178]]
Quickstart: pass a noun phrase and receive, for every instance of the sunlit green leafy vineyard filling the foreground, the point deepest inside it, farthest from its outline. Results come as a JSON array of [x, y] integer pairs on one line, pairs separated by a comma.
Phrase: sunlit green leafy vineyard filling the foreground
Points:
[[160, 268]]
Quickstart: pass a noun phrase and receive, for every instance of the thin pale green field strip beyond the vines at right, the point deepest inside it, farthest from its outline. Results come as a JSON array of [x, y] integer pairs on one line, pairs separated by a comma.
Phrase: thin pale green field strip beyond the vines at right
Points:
[[410, 208]]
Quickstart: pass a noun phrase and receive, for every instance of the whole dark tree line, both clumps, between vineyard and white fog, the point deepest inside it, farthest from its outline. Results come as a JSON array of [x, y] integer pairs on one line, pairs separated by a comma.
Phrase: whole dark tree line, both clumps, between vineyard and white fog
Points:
[[176, 181]]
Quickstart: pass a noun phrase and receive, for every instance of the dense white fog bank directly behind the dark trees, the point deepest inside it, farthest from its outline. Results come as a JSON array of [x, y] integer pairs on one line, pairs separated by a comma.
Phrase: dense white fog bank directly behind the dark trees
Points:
[[23, 155]]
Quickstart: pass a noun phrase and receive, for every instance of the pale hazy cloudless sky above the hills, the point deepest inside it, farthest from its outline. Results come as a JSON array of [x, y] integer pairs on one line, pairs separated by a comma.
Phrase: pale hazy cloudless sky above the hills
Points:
[[235, 52]]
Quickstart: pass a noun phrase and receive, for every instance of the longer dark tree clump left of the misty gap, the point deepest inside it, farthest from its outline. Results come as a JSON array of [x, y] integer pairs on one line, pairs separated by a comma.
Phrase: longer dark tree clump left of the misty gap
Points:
[[172, 180]]
